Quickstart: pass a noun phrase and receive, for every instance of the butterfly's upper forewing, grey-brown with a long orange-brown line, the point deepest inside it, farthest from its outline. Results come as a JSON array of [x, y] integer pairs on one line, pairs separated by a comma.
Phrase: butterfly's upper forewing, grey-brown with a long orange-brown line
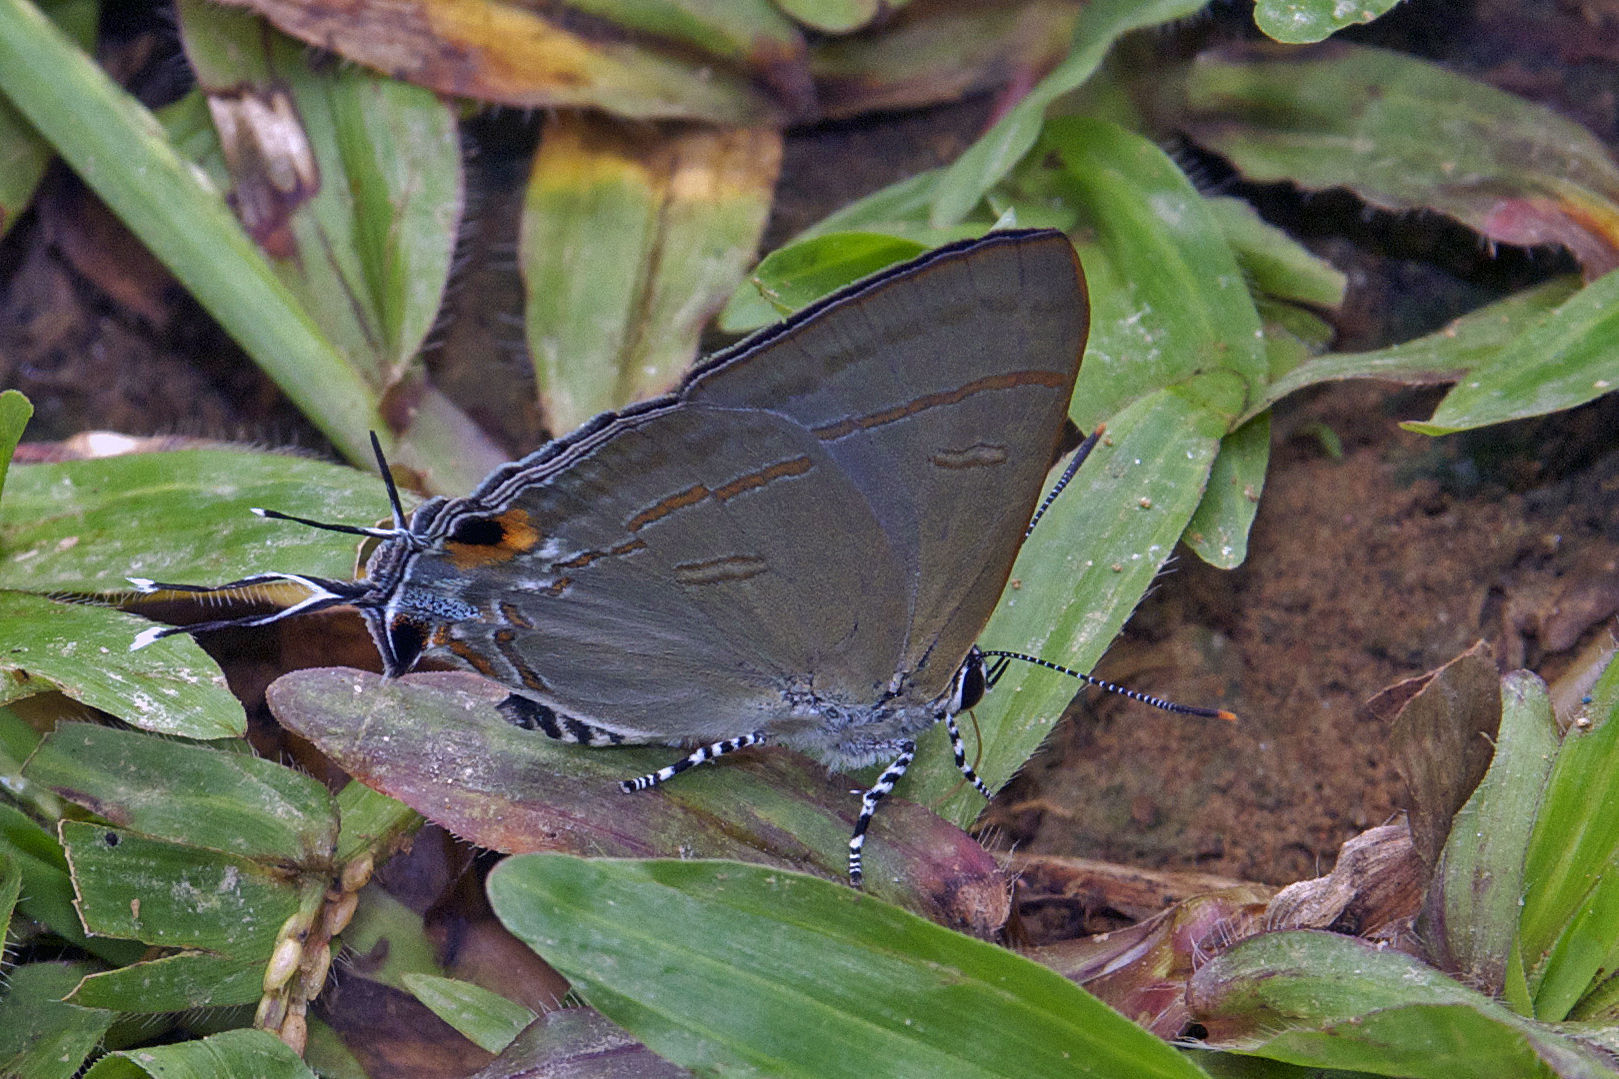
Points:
[[941, 394]]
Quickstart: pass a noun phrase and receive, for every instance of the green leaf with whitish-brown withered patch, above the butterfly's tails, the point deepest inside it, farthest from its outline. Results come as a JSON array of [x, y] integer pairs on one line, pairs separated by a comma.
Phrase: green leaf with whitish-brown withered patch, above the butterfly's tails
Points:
[[352, 186]]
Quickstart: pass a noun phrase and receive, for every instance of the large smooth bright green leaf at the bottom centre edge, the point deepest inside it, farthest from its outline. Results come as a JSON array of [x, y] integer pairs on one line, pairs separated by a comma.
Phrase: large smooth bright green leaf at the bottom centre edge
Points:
[[746, 970]]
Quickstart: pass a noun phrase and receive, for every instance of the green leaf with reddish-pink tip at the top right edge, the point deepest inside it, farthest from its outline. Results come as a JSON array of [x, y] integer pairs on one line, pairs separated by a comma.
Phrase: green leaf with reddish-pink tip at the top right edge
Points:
[[1408, 135]]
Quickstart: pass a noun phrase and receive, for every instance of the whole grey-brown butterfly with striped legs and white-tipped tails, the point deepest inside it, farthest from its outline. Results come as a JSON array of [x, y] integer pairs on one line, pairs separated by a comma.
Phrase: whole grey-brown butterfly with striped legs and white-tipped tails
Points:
[[799, 545]]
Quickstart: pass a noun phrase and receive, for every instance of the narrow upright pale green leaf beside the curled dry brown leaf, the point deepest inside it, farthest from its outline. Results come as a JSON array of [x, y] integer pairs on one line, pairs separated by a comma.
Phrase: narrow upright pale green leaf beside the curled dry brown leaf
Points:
[[1471, 915]]
